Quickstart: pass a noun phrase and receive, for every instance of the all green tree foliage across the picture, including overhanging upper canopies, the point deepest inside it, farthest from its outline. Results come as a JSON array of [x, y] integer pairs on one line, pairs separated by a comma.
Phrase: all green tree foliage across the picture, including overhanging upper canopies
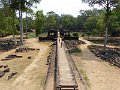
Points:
[[92, 22]]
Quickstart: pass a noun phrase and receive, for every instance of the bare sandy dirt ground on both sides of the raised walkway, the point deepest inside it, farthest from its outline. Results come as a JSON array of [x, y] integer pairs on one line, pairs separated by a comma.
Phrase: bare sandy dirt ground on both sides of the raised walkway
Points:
[[31, 73]]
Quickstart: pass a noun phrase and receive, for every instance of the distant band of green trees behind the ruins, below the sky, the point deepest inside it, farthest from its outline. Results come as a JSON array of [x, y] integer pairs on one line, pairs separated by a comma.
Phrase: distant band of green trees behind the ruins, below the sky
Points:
[[90, 21]]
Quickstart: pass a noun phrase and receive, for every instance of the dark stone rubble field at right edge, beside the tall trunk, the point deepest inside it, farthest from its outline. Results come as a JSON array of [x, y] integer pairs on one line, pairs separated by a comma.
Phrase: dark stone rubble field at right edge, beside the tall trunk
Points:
[[111, 55]]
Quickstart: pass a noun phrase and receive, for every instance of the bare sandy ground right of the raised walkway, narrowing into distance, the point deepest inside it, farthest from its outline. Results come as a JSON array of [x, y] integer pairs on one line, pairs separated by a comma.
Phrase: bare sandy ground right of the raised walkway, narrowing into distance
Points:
[[98, 74]]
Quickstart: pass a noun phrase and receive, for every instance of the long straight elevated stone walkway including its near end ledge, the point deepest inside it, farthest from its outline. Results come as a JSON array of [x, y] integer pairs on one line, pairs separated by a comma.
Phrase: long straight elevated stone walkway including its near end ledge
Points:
[[65, 77]]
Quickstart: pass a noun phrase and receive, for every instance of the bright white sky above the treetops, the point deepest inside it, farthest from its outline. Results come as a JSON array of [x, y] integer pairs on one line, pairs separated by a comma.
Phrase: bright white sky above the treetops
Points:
[[62, 6]]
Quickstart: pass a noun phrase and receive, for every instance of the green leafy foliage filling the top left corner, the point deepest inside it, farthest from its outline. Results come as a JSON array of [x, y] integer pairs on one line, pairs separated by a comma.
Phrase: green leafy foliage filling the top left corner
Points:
[[9, 22]]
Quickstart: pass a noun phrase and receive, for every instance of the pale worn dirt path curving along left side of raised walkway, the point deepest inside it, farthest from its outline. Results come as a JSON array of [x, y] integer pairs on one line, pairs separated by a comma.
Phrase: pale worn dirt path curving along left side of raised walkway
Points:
[[33, 76]]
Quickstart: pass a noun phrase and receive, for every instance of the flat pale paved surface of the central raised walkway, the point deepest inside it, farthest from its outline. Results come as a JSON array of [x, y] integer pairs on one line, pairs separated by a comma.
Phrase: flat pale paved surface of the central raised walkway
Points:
[[65, 74]]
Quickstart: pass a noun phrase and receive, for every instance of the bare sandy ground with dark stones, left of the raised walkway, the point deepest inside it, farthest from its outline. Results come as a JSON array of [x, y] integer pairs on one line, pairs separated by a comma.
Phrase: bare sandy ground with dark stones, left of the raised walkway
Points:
[[31, 73]]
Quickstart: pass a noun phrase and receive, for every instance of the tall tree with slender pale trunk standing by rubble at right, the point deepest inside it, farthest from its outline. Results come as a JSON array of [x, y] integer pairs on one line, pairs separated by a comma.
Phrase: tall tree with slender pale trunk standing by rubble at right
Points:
[[108, 5]]
